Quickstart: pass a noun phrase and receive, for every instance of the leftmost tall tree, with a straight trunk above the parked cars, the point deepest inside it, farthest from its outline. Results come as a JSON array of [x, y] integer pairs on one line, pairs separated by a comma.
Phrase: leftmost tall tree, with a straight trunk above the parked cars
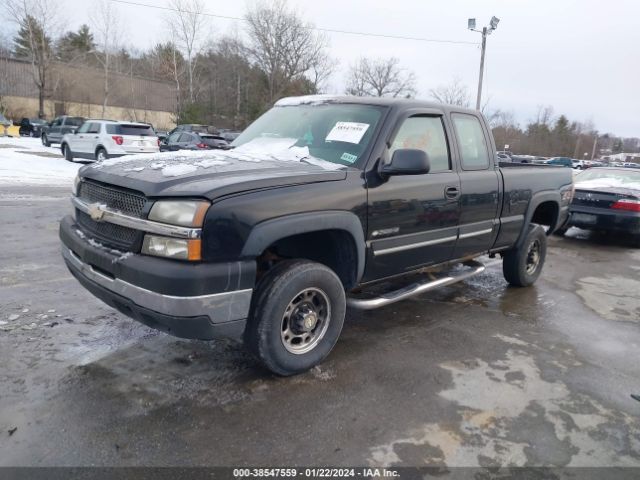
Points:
[[39, 25]]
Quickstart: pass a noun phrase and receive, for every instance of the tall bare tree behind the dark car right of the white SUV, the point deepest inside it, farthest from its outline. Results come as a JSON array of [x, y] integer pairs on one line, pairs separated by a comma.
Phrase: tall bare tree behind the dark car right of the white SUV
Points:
[[187, 26]]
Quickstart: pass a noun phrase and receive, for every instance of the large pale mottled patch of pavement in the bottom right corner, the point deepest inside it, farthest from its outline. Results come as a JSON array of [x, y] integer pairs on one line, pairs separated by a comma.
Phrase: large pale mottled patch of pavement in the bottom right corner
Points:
[[505, 408]]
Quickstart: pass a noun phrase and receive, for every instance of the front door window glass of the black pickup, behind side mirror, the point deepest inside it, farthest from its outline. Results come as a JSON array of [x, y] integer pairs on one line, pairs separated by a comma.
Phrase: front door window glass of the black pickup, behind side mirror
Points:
[[426, 134]]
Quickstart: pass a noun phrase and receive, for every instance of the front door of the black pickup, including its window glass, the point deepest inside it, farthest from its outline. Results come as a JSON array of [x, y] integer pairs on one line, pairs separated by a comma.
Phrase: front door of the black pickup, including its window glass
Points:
[[413, 219]]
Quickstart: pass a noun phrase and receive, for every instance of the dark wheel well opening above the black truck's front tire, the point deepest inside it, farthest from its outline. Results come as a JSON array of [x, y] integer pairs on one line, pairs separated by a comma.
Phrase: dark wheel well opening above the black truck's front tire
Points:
[[334, 248]]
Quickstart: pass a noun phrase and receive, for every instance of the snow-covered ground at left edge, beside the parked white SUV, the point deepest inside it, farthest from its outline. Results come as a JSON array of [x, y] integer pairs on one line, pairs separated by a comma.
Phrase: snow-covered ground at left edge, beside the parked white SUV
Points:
[[25, 161]]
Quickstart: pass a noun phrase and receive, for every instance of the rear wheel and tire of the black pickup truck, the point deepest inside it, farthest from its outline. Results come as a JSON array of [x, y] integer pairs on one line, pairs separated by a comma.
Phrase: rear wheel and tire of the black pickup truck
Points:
[[521, 266]]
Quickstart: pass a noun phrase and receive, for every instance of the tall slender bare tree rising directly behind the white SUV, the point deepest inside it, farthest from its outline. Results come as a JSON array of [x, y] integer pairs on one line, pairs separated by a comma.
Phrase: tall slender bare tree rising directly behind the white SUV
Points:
[[106, 23]]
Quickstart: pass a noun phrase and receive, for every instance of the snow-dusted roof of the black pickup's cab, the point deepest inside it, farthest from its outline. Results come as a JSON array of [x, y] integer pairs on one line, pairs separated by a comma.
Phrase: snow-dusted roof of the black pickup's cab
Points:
[[382, 101]]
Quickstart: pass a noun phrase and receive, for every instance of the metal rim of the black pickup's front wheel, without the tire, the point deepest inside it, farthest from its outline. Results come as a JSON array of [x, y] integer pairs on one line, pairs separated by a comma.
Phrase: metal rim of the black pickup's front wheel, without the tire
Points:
[[305, 321]]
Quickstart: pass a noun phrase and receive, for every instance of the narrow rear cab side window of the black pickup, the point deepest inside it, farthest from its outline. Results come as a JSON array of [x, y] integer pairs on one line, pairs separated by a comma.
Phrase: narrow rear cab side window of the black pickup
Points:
[[474, 153]]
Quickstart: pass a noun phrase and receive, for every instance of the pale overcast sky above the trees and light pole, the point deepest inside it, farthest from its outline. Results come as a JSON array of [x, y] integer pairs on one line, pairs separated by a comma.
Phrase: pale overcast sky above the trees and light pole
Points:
[[581, 57]]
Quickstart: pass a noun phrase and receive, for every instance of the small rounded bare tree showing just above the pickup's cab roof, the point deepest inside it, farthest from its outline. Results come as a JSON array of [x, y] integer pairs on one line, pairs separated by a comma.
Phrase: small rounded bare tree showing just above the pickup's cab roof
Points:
[[381, 77]]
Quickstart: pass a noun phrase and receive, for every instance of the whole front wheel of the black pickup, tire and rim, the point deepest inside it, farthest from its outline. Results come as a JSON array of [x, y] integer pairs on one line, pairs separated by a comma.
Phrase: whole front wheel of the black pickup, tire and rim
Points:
[[296, 316]]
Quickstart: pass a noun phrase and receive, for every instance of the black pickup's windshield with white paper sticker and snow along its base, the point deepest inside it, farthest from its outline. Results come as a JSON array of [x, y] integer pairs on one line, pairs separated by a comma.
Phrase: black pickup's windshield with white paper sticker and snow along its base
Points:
[[336, 133]]
